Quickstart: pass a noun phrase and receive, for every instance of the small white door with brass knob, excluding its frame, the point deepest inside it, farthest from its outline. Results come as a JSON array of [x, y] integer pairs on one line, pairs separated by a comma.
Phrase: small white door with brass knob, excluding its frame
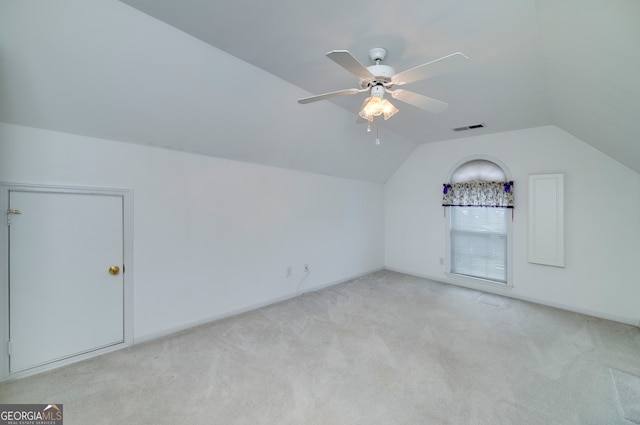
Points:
[[63, 298]]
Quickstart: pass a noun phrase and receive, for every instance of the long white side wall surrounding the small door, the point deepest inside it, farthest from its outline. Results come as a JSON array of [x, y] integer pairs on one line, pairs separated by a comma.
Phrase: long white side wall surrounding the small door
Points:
[[211, 236]]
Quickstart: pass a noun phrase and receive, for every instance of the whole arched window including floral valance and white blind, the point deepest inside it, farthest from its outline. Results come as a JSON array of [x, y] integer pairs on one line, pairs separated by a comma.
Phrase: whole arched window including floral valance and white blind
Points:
[[479, 195]]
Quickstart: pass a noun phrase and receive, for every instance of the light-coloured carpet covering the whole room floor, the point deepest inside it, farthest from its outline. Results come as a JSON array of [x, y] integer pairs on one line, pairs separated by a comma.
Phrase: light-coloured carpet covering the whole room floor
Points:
[[383, 349]]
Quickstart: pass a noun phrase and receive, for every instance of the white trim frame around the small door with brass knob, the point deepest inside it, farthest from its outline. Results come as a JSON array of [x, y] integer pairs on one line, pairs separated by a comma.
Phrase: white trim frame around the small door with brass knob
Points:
[[127, 221]]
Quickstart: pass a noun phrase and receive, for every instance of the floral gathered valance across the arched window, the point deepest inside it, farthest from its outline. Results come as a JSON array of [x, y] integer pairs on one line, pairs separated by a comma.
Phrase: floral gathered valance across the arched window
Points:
[[478, 194]]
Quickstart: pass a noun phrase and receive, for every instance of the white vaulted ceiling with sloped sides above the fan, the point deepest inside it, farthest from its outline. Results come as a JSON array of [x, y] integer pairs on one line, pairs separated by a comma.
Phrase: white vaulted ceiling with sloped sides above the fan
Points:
[[226, 81]]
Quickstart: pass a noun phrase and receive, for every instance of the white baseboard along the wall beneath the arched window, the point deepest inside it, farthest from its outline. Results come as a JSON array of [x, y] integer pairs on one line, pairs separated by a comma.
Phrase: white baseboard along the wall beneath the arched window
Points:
[[508, 291]]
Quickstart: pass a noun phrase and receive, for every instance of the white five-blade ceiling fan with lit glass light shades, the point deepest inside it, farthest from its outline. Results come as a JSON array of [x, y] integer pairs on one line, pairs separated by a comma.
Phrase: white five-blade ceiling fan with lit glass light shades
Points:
[[379, 79]]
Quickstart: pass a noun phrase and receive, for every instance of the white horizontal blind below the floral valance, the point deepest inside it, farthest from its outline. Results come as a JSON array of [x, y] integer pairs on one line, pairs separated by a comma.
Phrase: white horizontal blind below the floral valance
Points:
[[478, 242]]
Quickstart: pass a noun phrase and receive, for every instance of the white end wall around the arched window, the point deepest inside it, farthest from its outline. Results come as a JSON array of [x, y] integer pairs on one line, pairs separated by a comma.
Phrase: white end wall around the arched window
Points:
[[602, 213]]
